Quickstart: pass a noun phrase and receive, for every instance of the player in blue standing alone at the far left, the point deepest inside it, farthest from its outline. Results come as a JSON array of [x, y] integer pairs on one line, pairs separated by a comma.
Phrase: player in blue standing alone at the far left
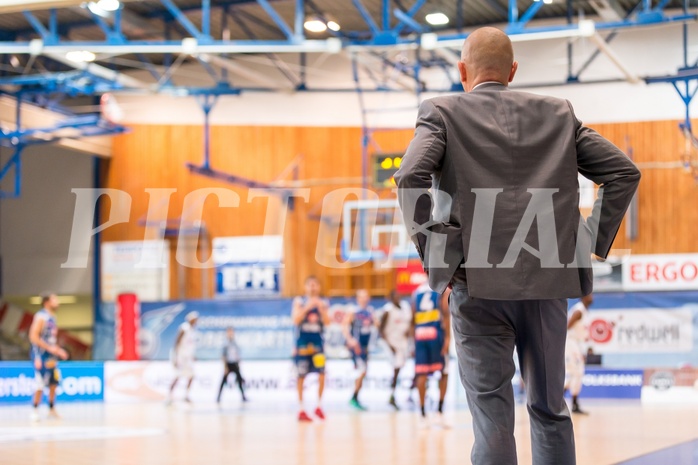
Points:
[[45, 352]]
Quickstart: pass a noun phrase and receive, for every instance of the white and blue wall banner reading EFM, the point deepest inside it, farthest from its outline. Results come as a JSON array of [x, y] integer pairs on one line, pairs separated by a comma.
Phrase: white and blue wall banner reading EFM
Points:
[[248, 266]]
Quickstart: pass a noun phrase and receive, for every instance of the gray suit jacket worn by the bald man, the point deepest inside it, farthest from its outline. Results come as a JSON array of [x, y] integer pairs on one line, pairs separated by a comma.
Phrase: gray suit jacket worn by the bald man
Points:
[[491, 177]]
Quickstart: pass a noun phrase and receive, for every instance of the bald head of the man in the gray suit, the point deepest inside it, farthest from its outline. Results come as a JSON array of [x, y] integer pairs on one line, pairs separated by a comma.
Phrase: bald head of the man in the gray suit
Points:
[[487, 55]]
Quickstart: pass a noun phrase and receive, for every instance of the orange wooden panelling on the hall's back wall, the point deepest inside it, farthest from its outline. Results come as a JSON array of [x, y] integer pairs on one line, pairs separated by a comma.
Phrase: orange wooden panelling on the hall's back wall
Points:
[[154, 157]]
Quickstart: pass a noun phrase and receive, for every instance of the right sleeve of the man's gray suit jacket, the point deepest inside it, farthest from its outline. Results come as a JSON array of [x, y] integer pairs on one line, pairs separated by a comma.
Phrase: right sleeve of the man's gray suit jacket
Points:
[[618, 178]]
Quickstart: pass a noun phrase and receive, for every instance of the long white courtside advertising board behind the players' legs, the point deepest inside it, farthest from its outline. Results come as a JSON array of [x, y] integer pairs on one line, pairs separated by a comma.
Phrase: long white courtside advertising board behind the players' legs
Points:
[[270, 382]]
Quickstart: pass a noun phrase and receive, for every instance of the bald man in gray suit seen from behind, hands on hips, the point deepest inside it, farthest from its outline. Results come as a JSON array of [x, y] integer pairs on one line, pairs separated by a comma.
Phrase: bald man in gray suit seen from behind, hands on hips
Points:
[[489, 193]]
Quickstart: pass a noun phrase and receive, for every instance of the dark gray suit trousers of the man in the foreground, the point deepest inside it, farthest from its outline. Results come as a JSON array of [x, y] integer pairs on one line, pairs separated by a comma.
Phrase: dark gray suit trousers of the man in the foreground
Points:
[[486, 332]]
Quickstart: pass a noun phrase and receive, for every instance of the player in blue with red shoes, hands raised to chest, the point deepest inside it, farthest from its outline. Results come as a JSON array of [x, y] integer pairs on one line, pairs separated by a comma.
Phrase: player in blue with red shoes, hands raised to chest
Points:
[[310, 316]]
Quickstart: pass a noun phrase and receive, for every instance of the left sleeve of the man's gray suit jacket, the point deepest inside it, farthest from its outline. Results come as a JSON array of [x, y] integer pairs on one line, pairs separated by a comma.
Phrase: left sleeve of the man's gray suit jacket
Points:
[[414, 178]]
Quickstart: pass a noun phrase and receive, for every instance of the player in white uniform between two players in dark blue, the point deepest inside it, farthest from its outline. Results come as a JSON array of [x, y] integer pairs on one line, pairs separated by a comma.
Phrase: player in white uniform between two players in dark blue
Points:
[[395, 329]]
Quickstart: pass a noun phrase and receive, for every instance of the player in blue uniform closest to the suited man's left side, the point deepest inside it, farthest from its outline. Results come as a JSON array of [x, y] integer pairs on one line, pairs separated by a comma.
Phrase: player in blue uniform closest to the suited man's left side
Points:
[[432, 335]]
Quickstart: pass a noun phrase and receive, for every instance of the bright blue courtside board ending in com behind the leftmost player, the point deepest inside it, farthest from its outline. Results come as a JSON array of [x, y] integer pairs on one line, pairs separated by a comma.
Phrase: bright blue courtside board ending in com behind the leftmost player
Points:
[[80, 382]]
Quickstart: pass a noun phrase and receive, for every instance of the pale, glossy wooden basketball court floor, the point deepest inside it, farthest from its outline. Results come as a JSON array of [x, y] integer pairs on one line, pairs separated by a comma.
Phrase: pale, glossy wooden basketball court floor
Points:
[[153, 434]]
